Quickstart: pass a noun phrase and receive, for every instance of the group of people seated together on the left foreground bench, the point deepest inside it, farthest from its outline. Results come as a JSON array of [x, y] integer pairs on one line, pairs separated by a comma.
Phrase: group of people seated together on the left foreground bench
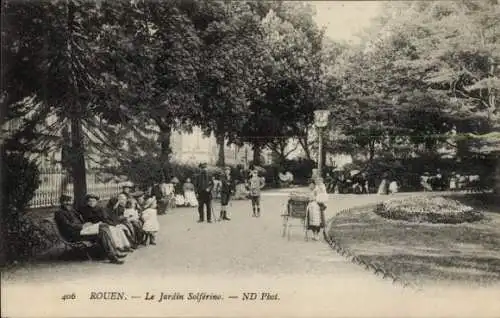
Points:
[[128, 220]]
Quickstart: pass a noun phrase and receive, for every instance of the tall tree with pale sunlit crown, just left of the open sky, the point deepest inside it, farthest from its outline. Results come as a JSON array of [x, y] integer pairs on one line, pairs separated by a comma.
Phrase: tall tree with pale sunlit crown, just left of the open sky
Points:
[[290, 88]]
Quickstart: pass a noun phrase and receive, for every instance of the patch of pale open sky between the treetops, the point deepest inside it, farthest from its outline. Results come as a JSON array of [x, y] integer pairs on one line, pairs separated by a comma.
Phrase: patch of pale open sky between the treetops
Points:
[[344, 19]]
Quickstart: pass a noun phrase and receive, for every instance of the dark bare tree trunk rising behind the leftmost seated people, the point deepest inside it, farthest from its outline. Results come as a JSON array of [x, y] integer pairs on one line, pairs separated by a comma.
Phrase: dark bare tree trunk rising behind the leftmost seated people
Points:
[[78, 169]]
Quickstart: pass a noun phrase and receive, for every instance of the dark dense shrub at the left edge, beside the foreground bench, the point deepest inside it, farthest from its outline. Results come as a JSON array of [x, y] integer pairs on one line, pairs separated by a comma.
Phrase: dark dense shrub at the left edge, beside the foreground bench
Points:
[[20, 179]]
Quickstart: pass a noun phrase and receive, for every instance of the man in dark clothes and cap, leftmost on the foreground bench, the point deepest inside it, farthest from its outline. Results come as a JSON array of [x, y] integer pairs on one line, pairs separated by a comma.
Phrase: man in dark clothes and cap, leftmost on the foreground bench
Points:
[[71, 224]]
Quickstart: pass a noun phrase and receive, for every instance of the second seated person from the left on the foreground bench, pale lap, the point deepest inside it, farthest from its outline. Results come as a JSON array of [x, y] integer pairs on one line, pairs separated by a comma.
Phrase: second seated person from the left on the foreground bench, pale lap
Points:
[[92, 213]]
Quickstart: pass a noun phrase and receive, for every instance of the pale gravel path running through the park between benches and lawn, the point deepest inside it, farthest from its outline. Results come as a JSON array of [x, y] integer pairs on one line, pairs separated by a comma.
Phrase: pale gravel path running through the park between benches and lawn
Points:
[[243, 246]]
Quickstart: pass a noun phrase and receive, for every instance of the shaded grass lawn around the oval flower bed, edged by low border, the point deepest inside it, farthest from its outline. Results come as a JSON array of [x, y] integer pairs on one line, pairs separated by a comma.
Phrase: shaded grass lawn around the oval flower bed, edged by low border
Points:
[[425, 253]]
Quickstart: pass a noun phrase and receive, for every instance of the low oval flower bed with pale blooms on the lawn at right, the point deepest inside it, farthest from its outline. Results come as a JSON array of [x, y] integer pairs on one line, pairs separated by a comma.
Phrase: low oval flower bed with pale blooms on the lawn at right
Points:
[[428, 209]]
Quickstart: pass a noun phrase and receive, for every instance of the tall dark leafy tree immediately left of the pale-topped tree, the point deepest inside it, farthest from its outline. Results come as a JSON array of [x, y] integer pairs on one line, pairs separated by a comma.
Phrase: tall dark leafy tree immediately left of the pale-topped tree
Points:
[[231, 57]]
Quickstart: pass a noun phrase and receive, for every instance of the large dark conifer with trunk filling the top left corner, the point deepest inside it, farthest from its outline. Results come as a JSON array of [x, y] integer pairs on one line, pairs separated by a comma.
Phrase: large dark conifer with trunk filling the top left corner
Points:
[[56, 59]]
